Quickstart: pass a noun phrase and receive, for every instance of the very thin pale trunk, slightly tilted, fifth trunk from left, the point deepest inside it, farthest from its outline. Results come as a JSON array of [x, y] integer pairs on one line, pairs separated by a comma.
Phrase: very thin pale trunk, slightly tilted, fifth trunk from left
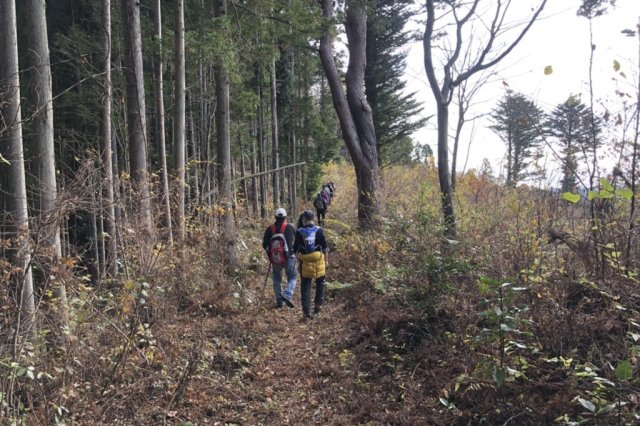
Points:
[[160, 125]]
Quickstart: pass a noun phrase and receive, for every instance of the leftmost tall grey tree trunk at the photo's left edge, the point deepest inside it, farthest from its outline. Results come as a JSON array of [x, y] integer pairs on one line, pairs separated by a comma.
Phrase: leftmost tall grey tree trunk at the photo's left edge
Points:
[[12, 150]]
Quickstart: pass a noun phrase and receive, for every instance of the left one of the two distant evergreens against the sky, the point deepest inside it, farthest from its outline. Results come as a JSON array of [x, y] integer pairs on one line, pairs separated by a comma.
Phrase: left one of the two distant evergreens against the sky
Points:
[[517, 121]]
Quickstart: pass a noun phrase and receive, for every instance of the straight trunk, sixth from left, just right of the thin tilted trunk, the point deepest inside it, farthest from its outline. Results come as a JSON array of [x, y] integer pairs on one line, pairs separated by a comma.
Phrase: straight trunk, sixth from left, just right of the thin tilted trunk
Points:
[[179, 117]]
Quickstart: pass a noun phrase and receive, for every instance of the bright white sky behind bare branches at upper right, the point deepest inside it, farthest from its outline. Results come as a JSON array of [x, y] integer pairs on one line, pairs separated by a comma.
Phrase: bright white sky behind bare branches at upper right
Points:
[[559, 39]]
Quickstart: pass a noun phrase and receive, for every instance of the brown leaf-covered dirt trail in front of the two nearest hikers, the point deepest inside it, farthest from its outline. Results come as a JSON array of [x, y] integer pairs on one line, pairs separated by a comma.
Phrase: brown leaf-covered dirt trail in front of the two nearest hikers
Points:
[[271, 367]]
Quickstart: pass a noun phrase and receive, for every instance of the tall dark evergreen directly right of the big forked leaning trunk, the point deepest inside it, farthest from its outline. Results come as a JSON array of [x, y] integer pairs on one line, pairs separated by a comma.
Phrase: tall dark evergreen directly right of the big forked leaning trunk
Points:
[[394, 110]]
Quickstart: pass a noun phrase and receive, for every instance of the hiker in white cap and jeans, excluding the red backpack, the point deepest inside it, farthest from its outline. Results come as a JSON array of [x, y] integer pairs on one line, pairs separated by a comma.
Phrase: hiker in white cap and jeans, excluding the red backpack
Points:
[[289, 231]]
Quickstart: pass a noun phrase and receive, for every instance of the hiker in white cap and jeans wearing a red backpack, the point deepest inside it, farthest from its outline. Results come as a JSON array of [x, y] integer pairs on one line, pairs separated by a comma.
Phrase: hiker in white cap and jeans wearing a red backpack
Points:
[[278, 242]]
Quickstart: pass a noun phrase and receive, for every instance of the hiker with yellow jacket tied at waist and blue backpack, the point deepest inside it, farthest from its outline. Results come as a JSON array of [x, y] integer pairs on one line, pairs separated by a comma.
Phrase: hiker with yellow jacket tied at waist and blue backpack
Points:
[[311, 247]]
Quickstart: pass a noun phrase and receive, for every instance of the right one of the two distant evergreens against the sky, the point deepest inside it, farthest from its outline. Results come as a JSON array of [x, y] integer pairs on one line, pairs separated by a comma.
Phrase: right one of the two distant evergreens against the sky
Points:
[[570, 123]]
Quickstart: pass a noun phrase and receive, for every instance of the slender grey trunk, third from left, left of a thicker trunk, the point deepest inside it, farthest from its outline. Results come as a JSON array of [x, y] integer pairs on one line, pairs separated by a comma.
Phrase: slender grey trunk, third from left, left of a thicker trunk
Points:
[[107, 154]]
